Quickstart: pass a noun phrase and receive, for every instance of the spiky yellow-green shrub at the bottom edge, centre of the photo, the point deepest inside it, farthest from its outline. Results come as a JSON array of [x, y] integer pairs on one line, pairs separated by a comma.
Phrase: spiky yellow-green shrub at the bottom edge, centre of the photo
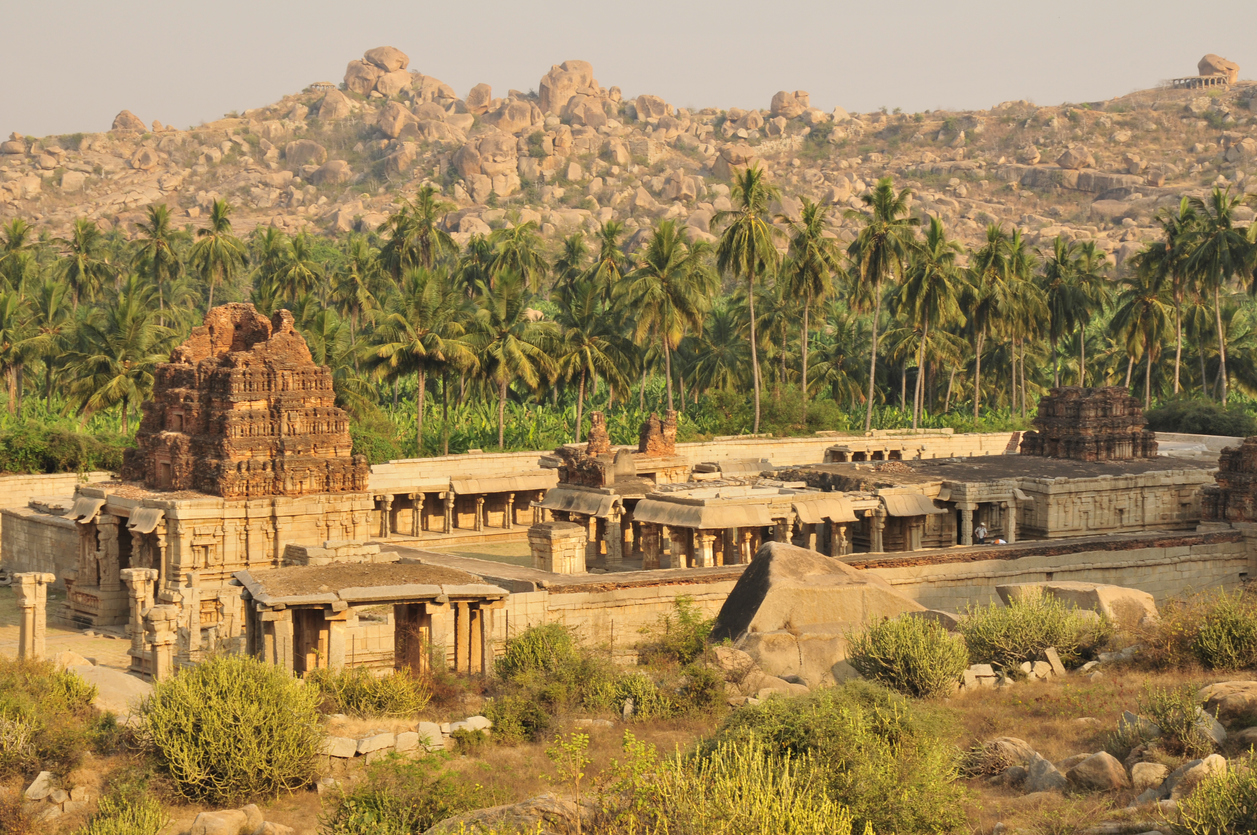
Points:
[[738, 787]]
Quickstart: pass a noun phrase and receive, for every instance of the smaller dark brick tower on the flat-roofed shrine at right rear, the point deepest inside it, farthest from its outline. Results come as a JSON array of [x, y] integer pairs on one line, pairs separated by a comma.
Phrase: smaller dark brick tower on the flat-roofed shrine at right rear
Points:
[[1101, 424]]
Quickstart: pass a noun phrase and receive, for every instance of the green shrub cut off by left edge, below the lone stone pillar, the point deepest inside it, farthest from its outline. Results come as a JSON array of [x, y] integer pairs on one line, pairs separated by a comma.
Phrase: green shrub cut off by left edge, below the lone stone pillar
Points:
[[46, 717]]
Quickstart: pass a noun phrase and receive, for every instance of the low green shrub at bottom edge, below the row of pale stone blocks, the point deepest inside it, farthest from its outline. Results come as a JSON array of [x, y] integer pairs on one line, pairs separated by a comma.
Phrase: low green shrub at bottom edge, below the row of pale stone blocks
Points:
[[400, 798]]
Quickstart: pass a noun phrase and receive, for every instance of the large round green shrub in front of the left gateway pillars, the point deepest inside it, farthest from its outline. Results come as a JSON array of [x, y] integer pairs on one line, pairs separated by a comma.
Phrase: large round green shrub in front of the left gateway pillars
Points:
[[233, 729]]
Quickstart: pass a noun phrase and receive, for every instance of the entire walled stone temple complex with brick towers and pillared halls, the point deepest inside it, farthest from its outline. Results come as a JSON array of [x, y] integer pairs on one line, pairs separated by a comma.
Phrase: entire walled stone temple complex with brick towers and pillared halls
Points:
[[244, 523]]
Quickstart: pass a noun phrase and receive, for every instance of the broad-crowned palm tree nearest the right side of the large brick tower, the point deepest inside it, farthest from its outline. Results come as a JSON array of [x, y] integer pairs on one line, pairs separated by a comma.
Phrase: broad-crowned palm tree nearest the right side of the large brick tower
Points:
[[425, 330]]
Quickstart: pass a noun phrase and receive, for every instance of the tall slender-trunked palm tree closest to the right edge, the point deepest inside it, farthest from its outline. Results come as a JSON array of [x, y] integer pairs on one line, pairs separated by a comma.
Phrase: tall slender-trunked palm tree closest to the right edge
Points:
[[1220, 252]]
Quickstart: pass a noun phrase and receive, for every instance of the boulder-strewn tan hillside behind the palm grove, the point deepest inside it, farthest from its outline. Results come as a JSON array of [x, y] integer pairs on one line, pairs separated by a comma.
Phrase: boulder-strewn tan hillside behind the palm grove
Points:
[[575, 154]]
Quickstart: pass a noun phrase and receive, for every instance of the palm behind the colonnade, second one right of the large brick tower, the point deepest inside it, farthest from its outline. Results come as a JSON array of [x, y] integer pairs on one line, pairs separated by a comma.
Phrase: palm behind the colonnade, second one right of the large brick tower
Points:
[[511, 346]]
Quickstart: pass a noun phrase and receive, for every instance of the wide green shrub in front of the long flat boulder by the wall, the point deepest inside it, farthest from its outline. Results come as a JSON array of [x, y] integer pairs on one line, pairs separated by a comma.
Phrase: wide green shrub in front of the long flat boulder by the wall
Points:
[[1009, 636]]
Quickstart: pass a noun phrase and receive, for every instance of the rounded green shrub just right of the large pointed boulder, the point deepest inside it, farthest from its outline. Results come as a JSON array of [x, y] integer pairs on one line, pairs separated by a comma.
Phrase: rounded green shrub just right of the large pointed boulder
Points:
[[909, 655]]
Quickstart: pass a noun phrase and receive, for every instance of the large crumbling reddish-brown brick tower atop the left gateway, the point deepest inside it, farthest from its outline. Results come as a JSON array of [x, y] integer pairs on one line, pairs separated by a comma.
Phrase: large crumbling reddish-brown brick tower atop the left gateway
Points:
[[243, 412]]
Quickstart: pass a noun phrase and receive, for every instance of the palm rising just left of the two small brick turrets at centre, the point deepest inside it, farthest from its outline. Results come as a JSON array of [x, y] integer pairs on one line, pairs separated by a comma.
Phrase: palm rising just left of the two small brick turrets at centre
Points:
[[591, 345]]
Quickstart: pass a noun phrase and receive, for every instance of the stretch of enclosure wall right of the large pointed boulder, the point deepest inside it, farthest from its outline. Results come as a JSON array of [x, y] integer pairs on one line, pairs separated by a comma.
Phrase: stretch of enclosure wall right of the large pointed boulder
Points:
[[1165, 565]]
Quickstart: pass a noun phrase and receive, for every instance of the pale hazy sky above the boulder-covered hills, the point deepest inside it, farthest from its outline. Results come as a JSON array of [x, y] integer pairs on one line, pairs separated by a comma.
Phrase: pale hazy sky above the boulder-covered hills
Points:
[[72, 65]]
